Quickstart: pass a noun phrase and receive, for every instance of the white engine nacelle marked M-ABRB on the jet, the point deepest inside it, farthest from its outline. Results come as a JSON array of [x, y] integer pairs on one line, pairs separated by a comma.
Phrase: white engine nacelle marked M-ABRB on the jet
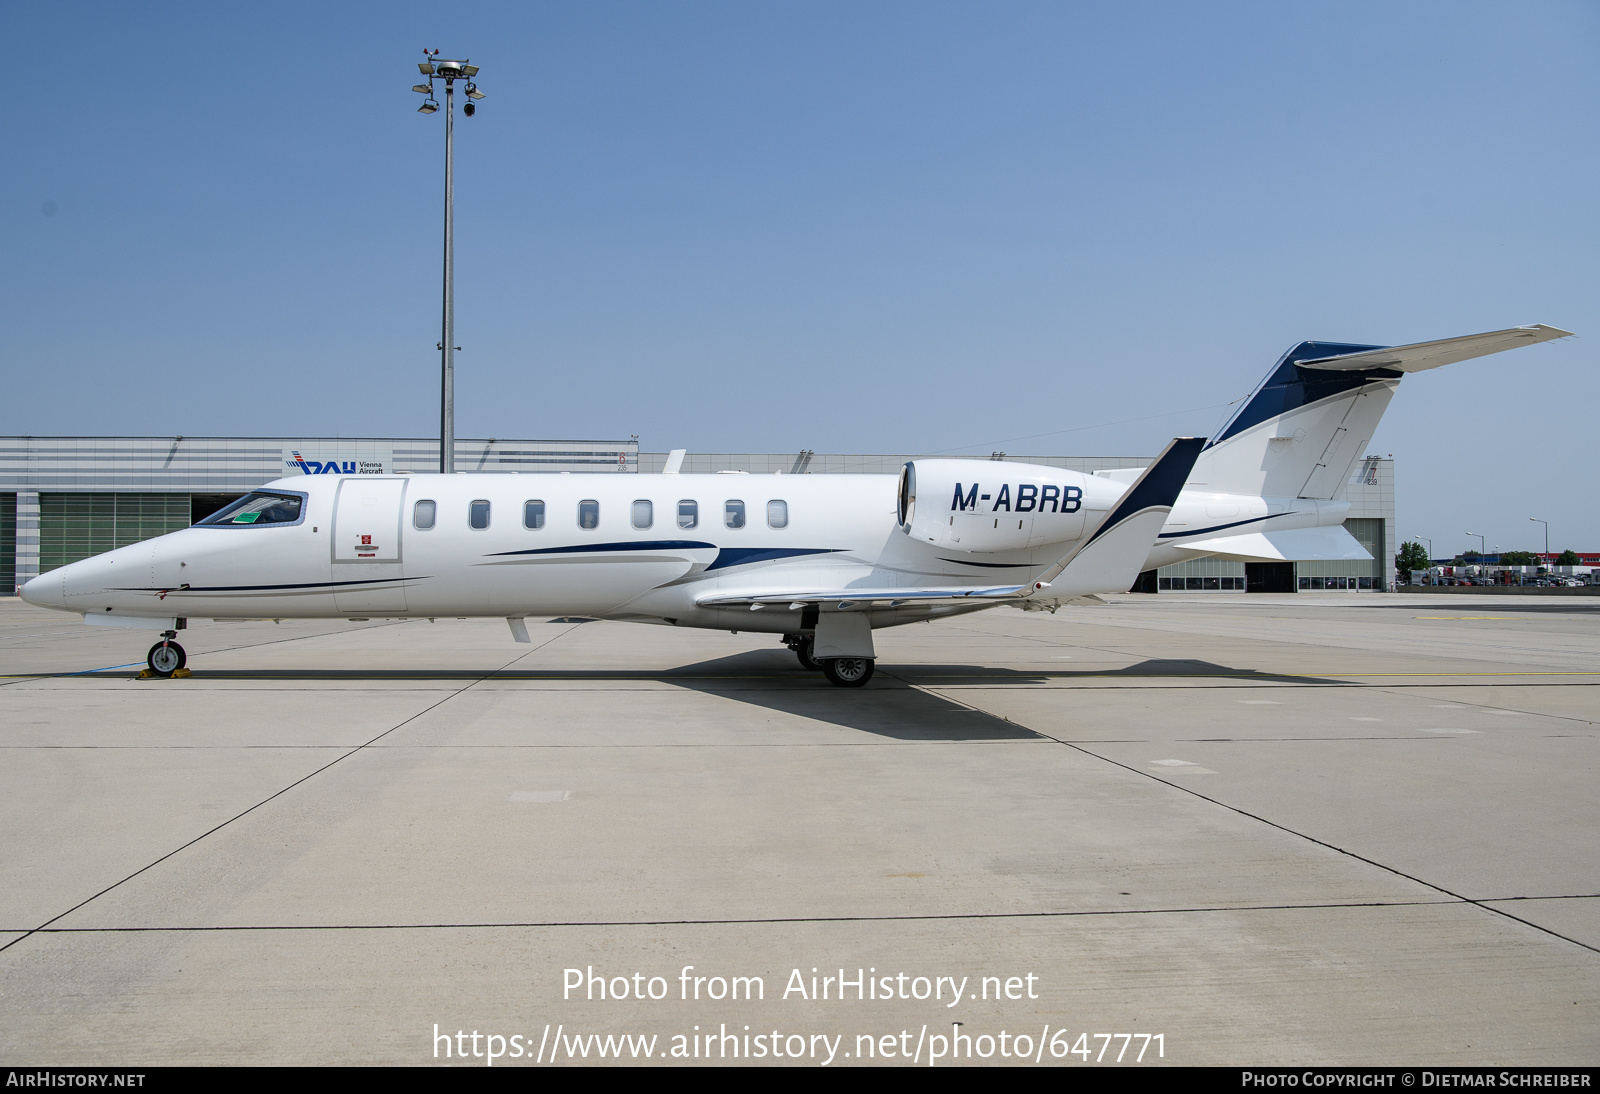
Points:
[[993, 506]]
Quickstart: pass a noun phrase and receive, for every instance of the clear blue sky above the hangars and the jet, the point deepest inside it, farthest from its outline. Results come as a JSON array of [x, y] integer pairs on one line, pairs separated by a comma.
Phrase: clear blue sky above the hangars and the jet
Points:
[[831, 226]]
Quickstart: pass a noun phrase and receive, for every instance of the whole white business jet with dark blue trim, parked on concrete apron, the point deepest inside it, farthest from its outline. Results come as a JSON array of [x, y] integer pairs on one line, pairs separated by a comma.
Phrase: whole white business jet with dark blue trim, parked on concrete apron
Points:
[[822, 561]]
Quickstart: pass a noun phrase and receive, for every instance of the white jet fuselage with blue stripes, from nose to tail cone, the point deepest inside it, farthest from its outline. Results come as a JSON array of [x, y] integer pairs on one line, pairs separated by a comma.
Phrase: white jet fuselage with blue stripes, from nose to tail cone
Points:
[[606, 545]]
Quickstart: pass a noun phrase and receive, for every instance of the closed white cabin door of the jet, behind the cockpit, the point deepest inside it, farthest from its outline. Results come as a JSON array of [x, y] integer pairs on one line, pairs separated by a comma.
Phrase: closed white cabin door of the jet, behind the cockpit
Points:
[[367, 553]]
